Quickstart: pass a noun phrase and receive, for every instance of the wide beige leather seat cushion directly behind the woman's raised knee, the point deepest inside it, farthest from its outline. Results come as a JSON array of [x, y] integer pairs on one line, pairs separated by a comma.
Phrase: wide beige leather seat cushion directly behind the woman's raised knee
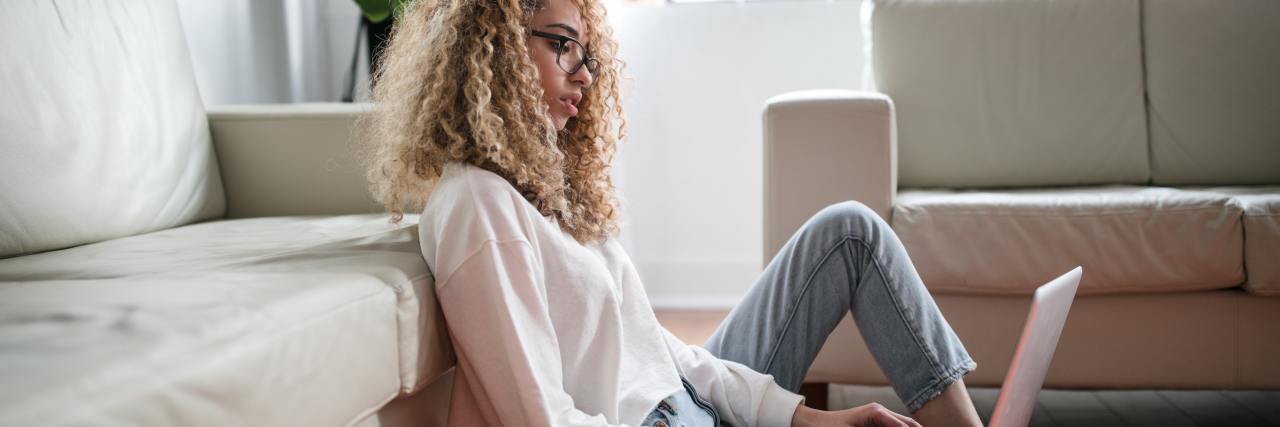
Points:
[[1130, 240]]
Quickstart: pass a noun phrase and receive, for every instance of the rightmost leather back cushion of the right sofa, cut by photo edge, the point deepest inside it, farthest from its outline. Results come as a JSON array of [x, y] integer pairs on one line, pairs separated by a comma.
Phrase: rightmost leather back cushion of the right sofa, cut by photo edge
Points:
[[1214, 84]]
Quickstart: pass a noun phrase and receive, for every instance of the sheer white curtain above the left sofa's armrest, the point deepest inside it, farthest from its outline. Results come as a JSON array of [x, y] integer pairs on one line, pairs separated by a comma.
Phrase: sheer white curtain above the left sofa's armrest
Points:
[[266, 52]]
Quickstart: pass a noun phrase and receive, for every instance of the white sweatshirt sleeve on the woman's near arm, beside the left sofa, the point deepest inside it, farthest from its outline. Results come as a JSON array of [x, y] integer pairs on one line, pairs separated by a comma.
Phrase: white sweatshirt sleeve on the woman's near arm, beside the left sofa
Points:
[[496, 306]]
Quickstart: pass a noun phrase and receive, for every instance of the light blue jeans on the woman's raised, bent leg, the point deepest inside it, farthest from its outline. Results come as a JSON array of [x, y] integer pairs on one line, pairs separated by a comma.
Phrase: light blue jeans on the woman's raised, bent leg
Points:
[[844, 260]]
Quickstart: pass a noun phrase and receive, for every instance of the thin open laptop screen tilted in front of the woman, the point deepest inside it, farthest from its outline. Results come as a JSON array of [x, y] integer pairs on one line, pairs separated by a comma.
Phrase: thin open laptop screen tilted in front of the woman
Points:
[[1035, 351]]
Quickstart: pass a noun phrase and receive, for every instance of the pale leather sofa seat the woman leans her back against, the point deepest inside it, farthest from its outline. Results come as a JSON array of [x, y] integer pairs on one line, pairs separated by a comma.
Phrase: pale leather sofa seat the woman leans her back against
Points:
[[221, 324]]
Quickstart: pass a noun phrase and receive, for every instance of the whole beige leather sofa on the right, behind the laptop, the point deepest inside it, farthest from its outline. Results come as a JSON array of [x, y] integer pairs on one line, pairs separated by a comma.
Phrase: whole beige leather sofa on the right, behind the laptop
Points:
[[1011, 141]]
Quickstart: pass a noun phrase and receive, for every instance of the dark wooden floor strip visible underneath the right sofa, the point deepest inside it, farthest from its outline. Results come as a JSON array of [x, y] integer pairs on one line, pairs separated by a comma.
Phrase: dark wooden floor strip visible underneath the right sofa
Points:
[[1108, 408]]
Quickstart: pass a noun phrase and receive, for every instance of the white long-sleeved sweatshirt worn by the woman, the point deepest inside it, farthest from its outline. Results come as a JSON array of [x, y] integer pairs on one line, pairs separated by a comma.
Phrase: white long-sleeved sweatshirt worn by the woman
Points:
[[554, 333]]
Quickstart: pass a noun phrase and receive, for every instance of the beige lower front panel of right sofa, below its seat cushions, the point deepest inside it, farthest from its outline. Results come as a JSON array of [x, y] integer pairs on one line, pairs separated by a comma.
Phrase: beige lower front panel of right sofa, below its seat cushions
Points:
[[1219, 339]]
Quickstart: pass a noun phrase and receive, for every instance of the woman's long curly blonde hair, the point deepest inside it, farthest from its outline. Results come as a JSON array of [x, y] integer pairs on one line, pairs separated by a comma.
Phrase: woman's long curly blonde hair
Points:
[[456, 85]]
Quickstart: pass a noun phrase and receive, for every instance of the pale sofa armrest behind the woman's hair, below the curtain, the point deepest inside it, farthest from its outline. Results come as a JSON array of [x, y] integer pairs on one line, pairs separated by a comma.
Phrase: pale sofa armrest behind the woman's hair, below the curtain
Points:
[[291, 159]]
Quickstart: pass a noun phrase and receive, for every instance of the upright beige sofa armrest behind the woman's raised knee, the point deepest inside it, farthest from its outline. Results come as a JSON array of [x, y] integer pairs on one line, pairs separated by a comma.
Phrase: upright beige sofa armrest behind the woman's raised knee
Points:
[[822, 148]]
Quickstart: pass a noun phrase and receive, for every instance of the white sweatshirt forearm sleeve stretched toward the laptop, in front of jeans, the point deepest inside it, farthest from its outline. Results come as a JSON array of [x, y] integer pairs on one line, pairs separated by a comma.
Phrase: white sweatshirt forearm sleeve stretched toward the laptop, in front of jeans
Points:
[[740, 396]]
